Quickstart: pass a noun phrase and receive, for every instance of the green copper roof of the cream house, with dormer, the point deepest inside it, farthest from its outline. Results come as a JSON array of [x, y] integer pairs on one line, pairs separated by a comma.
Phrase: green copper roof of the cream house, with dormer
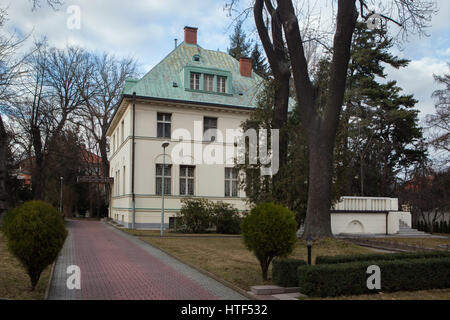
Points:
[[175, 68]]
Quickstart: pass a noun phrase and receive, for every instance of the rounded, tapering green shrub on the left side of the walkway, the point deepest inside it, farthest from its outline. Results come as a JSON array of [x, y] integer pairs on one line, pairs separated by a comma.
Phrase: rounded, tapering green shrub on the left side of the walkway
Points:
[[35, 231]]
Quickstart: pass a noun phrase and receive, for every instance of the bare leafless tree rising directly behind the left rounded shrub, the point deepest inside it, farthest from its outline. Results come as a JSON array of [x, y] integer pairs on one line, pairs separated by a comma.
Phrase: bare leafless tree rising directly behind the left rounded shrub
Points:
[[50, 95]]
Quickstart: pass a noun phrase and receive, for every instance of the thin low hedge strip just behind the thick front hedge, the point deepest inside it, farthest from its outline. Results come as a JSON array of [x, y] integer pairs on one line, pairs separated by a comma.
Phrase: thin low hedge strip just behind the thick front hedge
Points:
[[389, 256]]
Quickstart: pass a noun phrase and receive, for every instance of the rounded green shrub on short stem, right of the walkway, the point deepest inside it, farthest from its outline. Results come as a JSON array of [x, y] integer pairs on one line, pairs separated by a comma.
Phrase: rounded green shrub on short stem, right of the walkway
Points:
[[269, 231]]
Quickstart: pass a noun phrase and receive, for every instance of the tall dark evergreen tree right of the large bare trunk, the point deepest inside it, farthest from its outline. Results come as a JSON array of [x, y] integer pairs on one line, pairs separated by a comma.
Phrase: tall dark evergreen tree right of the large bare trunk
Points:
[[381, 126]]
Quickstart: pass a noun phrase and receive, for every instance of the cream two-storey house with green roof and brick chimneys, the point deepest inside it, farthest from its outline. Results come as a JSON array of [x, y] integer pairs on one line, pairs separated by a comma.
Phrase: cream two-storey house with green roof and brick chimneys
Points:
[[203, 92]]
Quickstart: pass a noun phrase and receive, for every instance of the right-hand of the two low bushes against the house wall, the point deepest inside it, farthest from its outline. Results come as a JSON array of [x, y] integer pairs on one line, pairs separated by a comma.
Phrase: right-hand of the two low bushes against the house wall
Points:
[[226, 218]]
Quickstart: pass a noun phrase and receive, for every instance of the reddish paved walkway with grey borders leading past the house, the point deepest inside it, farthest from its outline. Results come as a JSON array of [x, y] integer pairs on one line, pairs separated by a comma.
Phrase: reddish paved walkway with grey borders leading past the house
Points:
[[115, 265]]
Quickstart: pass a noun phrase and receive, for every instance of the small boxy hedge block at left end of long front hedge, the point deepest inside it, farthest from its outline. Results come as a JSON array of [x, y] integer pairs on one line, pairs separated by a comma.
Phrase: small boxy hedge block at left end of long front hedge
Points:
[[284, 271]]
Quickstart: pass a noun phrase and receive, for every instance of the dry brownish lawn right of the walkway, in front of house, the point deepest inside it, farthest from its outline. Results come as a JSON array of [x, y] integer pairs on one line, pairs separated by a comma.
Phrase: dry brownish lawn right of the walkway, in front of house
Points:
[[230, 260]]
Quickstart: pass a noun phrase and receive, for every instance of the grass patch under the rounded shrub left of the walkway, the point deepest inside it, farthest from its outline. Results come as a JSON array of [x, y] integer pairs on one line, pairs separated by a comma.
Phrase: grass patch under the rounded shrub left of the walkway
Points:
[[14, 281]]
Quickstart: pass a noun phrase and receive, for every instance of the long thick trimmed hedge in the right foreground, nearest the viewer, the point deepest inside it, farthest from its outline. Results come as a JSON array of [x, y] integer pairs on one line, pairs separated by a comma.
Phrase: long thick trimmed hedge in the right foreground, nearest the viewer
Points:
[[396, 275]]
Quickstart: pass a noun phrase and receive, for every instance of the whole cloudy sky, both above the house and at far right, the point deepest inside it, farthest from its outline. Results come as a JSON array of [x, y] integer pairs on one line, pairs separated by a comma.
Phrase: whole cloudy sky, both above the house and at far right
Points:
[[146, 29]]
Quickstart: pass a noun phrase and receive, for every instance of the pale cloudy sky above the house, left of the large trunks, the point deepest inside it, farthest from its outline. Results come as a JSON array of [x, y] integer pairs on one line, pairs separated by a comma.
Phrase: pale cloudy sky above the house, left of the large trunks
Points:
[[142, 29]]
